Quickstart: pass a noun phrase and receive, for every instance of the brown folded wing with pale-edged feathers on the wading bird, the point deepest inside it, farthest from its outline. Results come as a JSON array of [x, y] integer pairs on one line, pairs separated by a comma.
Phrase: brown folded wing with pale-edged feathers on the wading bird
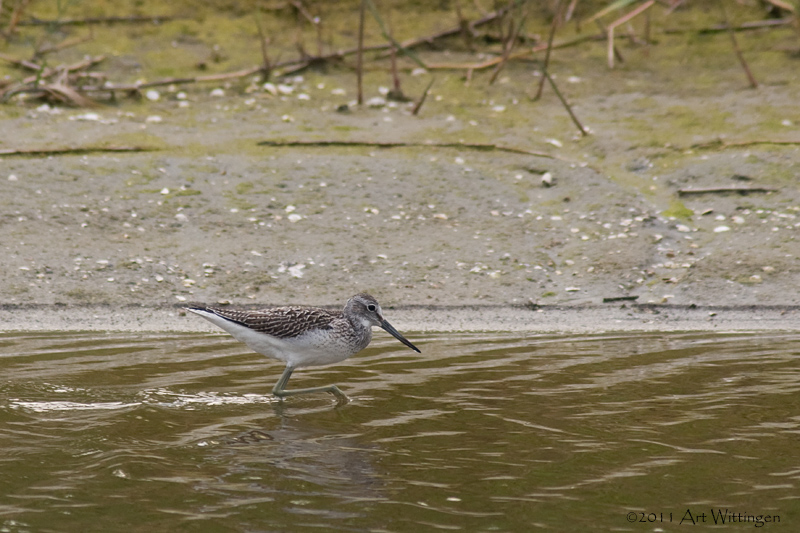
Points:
[[280, 322]]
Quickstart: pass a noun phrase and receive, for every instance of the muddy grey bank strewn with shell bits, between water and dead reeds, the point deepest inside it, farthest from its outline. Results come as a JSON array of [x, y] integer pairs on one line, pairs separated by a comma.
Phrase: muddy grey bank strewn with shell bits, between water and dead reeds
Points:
[[210, 214]]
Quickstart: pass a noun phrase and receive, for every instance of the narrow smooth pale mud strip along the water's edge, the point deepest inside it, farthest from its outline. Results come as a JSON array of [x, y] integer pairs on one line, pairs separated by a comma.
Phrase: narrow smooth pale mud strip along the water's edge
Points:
[[595, 319]]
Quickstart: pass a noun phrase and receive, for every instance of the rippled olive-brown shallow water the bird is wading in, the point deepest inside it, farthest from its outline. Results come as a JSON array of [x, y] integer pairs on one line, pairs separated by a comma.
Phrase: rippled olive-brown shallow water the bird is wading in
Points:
[[123, 432]]
